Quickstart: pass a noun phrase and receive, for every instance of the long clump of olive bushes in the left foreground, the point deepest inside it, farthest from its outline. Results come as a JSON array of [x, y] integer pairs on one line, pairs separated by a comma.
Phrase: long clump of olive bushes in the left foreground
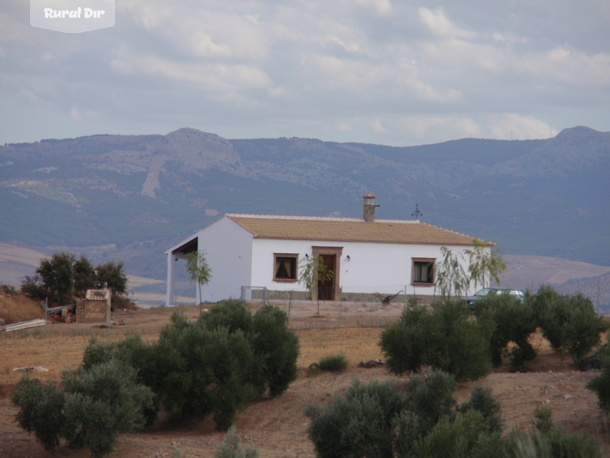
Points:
[[208, 367]]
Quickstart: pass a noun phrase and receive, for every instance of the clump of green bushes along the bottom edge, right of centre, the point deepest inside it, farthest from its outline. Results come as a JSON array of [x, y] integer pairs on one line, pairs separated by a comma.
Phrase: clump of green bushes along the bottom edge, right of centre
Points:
[[383, 419]]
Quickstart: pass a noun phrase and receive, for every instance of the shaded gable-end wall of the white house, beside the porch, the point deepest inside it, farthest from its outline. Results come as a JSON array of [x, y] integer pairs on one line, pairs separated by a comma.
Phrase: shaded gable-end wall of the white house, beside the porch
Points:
[[228, 249]]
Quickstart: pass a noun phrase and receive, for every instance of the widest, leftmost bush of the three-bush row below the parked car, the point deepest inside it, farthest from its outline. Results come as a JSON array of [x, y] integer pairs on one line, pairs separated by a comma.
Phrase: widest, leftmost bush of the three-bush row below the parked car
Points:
[[444, 338]]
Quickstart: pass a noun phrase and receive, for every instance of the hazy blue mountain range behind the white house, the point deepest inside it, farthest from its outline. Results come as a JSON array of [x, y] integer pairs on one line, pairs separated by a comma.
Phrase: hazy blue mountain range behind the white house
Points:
[[131, 197]]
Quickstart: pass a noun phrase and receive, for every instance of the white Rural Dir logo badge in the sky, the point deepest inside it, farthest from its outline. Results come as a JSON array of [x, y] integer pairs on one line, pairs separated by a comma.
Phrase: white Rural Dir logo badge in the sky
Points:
[[72, 16]]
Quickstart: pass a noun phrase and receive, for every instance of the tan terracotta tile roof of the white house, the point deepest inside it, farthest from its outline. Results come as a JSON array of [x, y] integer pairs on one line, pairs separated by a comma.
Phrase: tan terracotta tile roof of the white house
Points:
[[350, 230]]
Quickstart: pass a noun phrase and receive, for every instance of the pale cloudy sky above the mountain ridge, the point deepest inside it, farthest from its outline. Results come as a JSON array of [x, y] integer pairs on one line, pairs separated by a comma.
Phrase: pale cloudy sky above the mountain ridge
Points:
[[390, 72]]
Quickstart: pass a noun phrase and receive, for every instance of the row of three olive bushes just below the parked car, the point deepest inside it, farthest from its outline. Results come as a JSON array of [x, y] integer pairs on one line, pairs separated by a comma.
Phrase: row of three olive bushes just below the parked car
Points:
[[448, 338]]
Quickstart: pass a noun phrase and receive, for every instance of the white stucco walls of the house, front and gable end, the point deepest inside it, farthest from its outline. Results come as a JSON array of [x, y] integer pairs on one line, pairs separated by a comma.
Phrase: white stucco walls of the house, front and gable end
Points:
[[237, 259]]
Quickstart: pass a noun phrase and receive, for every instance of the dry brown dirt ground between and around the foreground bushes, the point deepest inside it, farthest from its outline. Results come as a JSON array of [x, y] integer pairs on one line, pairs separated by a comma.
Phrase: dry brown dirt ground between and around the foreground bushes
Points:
[[278, 427]]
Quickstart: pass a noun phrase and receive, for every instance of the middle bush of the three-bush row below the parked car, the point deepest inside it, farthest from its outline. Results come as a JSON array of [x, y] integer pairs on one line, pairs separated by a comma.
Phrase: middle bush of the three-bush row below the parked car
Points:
[[513, 321]]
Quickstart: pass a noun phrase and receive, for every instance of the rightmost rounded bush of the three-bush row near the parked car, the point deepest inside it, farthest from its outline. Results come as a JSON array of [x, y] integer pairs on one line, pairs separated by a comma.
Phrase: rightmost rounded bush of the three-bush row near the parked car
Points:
[[568, 322]]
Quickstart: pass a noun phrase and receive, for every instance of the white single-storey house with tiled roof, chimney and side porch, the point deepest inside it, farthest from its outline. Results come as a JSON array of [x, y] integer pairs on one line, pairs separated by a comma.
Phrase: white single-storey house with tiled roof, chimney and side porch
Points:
[[367, 256]]
